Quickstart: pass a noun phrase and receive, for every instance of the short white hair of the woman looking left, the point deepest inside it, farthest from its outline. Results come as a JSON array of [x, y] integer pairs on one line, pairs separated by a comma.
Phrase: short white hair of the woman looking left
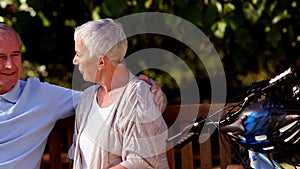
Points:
[[103, 37]]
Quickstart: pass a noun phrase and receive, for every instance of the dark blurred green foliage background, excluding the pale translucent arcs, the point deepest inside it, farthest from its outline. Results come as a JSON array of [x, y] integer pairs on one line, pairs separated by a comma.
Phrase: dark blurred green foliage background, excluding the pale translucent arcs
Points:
[[255, 40]]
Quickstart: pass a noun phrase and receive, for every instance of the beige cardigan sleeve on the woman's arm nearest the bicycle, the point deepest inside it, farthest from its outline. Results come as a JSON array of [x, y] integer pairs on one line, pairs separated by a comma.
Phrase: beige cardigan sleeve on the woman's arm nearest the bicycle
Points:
[[144, 130]]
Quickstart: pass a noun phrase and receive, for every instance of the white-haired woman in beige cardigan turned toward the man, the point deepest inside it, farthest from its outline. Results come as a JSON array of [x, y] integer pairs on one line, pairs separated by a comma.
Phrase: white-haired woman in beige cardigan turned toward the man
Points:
[[117, 122]]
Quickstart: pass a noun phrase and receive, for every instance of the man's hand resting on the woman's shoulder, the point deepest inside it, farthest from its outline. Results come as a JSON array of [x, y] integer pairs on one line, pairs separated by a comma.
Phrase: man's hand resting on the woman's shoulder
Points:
[[156, 89]]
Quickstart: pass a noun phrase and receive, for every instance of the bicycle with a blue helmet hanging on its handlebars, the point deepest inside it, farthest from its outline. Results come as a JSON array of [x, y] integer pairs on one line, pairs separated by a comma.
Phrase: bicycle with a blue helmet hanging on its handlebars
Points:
[[265, 123]]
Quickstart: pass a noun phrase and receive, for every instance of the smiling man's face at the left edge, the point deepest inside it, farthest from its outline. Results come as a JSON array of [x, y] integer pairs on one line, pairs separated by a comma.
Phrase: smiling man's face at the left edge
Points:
[[10, 61]]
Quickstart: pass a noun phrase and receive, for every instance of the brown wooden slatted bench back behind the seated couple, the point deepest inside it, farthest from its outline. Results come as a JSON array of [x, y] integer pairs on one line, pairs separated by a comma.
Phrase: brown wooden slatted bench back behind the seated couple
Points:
[[193, 155]]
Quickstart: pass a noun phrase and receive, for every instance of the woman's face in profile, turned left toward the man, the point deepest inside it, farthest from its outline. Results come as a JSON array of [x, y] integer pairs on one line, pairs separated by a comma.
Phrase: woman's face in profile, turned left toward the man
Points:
[[87, 64]]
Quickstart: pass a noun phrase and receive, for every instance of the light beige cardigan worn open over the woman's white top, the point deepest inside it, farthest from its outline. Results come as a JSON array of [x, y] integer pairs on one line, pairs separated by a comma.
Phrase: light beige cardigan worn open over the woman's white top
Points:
[[135, 133]]
